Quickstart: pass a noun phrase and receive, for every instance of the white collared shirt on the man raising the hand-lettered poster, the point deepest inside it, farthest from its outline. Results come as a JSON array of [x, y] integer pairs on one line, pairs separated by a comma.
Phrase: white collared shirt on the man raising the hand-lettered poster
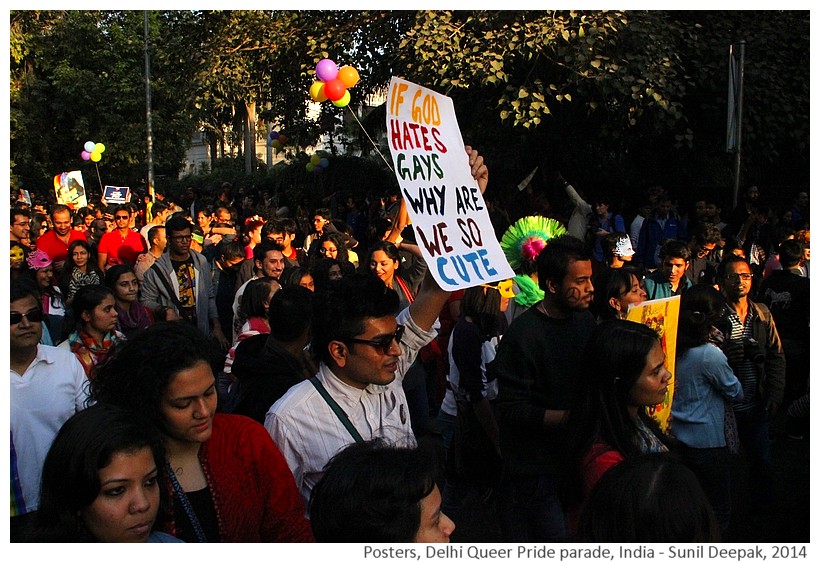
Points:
[[308, 432]]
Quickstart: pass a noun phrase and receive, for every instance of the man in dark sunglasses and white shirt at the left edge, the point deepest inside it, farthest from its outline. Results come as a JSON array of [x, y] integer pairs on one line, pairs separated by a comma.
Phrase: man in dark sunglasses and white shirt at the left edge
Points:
[[48, 385]]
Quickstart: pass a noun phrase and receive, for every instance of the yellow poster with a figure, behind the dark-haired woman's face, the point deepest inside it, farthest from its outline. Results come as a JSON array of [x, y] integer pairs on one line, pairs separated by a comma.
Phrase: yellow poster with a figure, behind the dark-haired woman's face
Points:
[[661, 315]]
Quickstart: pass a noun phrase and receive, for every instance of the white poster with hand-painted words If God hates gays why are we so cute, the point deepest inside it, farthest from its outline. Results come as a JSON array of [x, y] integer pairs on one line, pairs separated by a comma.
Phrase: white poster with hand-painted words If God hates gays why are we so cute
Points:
[[446, 207]]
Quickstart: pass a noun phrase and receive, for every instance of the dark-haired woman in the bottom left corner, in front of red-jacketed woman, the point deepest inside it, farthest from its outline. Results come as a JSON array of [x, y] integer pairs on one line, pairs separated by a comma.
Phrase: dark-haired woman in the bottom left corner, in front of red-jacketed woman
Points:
[[103, 481]]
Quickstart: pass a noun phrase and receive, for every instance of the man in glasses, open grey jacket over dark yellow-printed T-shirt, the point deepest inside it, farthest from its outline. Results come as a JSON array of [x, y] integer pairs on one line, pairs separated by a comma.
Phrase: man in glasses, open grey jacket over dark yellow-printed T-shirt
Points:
[[179, 285]]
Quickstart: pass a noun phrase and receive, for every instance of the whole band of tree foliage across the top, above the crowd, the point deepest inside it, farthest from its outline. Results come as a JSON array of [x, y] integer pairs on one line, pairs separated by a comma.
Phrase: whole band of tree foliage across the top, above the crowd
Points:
[[613, 99]]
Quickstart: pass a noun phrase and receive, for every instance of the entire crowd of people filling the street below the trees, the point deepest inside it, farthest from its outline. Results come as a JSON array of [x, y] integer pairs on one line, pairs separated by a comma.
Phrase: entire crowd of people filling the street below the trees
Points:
[[229, 371]]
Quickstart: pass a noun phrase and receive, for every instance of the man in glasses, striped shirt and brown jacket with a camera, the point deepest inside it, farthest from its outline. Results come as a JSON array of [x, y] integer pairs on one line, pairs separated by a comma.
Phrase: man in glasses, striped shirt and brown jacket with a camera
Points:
[[755, 354]]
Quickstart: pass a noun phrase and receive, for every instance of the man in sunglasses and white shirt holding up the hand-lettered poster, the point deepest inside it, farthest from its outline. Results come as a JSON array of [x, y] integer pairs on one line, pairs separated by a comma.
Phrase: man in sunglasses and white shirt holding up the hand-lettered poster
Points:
[[365, 346]]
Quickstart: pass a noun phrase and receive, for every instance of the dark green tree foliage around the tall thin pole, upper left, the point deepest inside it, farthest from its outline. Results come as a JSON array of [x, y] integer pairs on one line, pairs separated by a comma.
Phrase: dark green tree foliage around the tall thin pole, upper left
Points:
[[81, 77]]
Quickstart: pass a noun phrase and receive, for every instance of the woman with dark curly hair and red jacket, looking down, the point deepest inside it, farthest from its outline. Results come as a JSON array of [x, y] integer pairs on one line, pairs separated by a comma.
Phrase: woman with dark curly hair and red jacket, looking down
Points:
[[229, 481]]
